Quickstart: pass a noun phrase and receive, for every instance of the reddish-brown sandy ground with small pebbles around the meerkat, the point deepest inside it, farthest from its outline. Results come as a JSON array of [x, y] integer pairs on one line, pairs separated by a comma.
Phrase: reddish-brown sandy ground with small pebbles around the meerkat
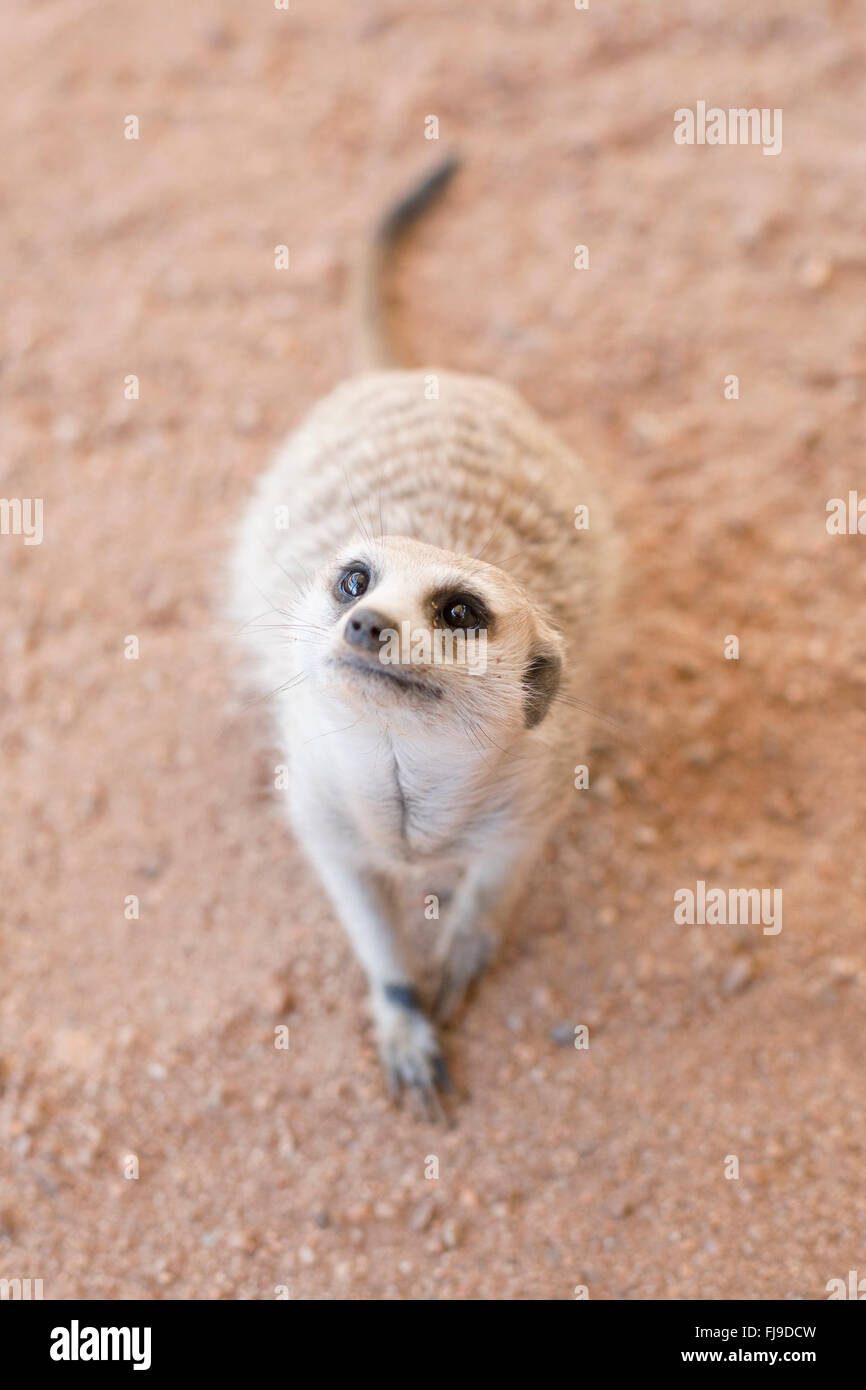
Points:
[[151, 1042]]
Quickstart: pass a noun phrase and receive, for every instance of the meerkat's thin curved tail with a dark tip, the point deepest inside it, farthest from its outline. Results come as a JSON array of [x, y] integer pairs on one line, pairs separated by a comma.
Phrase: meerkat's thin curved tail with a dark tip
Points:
[[373, 341]]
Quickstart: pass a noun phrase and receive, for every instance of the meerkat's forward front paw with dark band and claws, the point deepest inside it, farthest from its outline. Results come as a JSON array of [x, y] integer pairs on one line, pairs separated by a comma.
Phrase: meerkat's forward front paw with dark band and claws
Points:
[[409, 1049]]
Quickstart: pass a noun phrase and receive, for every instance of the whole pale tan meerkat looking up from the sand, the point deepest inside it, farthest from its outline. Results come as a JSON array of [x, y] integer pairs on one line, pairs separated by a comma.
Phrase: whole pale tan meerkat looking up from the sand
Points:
[[433, 505]]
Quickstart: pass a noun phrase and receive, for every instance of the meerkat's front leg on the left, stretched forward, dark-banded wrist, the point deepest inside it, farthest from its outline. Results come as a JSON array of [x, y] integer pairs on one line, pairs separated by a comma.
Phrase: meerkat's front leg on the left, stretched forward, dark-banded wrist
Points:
[[365, 903]]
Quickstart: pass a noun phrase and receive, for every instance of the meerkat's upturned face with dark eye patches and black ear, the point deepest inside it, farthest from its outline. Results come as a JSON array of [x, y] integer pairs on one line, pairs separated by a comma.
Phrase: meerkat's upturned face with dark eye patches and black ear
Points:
[[411, 630]]
